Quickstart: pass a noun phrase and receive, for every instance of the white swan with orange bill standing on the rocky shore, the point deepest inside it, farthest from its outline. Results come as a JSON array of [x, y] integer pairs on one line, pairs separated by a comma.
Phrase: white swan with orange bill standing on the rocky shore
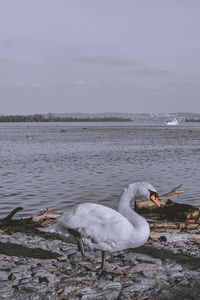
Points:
[[103, 228]]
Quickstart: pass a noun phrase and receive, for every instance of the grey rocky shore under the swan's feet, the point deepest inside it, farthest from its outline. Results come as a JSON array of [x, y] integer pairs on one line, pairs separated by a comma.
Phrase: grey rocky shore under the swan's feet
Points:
[[41, 266]]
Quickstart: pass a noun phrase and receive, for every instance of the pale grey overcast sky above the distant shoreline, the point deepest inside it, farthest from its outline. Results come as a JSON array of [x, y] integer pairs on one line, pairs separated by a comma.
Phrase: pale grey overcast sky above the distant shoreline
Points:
[[95, 56]]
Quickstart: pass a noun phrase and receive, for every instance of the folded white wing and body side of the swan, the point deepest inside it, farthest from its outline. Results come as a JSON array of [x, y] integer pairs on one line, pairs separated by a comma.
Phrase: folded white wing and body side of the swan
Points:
[[99, 226]]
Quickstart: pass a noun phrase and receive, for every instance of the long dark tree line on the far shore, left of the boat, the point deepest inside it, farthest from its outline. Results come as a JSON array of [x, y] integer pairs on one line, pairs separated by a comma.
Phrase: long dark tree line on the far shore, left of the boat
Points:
[[52, 118]]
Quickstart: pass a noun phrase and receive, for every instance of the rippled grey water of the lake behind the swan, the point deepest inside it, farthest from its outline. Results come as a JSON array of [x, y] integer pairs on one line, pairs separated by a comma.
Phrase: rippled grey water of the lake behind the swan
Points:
[[59, 165]]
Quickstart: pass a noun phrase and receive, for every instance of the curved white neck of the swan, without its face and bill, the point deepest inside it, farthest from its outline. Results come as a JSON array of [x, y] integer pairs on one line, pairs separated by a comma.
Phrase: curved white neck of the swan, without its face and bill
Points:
[[139, 223]]
